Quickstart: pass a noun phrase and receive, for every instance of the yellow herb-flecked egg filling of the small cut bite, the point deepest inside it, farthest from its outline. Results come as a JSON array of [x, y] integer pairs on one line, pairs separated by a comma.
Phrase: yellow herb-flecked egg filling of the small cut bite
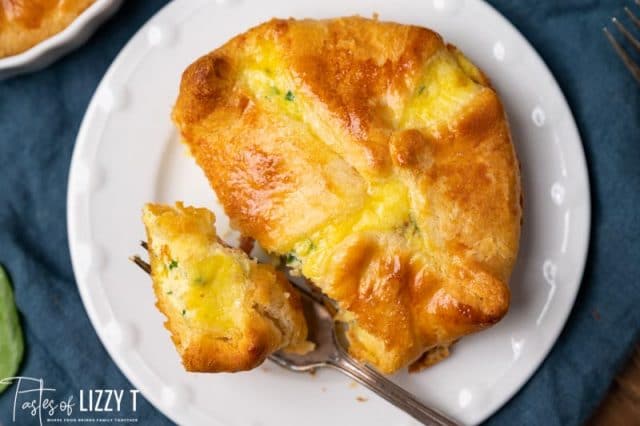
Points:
[[202, 281]]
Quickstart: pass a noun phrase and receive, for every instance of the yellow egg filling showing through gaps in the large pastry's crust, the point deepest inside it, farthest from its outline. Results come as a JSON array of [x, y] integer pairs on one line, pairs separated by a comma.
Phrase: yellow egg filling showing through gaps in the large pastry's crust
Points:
[[442, 88]]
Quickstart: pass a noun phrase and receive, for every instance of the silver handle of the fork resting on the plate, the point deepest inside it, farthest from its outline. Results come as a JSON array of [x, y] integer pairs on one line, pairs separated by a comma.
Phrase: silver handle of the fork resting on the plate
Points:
[[389, 391]]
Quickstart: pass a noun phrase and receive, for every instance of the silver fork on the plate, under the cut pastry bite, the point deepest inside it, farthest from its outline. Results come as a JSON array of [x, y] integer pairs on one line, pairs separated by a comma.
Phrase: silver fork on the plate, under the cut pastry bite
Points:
[[328, 335]]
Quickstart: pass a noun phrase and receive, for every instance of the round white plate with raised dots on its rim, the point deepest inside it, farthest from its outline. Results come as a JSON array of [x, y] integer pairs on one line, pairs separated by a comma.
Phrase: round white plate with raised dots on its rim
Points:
[[127, 153]]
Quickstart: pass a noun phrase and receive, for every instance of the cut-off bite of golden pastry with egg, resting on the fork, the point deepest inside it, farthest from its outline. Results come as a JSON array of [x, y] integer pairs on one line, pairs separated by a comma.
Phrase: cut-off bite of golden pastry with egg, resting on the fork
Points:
[[182, 241]]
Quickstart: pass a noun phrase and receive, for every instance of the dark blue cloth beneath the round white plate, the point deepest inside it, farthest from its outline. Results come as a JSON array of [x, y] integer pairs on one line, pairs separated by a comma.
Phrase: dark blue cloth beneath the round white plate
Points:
[[40, 115]]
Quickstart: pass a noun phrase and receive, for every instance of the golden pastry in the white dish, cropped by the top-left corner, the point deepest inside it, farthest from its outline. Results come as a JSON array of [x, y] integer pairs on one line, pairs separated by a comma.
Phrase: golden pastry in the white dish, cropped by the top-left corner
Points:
[[25, 23]]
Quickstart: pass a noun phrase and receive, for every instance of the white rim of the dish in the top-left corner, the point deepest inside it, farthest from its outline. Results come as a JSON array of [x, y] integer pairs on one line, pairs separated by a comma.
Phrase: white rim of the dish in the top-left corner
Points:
[[52, 48]]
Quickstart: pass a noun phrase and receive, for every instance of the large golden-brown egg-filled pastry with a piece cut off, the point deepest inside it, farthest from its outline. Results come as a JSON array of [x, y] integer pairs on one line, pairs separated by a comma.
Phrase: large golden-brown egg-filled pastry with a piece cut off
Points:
[[378, 158]]
